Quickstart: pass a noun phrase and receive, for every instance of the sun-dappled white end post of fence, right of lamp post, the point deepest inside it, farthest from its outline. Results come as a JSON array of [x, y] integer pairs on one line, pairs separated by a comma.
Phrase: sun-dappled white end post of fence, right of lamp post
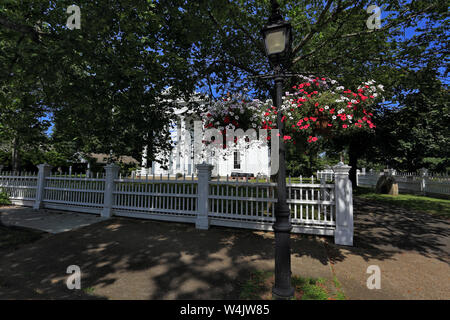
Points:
[[344, 205]]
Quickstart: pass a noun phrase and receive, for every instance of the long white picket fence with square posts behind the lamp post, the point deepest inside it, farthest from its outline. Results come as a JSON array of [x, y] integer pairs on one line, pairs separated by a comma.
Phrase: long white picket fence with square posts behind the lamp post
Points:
[[316, 207]]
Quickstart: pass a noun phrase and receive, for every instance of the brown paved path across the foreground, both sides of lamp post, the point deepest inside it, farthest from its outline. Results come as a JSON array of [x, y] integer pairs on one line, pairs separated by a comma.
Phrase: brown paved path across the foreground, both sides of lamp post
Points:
[[142, 259]]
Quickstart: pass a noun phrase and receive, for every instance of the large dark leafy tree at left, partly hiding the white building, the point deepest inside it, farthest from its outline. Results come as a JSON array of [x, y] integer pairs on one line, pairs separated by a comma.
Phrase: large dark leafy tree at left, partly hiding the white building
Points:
[[103, 83]]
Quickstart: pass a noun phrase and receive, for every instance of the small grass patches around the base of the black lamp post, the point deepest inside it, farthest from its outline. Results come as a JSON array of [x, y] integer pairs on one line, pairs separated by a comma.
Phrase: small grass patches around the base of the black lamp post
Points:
[[259, 287]]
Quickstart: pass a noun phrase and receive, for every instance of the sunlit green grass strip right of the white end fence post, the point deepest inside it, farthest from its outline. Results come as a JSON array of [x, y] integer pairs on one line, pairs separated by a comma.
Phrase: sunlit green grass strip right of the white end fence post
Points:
[[435, 206]]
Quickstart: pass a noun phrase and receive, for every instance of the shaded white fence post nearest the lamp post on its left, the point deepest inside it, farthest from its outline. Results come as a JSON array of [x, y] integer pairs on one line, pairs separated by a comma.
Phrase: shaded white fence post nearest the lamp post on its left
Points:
[[204, 176]]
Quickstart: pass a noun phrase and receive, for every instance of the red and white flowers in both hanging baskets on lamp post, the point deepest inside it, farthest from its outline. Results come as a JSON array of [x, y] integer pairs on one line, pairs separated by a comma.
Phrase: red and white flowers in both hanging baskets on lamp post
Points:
[[315, 108]]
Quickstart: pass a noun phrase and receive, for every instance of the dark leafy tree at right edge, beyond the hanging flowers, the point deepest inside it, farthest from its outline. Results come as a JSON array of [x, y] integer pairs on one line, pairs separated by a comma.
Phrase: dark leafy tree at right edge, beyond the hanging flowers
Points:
[[415, 133]]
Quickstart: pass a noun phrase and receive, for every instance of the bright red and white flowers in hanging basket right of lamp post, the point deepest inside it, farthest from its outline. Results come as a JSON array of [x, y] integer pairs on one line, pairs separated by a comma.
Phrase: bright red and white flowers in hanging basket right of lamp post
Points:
[[318, 107]]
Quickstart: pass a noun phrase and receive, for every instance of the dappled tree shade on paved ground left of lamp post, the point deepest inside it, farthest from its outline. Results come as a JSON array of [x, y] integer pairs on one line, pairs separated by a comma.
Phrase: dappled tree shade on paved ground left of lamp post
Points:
[[135, 259]]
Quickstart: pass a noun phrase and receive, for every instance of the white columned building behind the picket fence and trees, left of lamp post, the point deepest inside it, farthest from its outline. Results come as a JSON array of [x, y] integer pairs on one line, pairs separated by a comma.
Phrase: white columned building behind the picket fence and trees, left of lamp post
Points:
[[248, 158]]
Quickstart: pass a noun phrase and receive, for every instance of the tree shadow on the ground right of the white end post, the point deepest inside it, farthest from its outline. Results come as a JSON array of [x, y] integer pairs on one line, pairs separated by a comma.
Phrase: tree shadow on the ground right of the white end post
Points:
[[384, 230]]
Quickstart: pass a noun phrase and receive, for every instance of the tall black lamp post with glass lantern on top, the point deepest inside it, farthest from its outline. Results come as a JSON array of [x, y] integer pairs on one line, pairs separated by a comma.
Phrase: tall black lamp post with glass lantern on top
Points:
[[277, 41]]
